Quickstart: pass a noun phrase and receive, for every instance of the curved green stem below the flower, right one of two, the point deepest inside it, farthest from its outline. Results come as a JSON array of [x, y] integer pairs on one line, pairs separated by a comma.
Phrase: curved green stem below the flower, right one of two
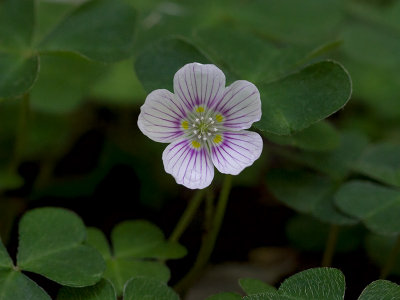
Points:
[[210, 238]]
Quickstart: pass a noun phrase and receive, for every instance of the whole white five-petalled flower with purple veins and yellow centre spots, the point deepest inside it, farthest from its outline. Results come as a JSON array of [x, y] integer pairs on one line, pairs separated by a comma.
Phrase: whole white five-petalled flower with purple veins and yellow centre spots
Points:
[[204, 123]]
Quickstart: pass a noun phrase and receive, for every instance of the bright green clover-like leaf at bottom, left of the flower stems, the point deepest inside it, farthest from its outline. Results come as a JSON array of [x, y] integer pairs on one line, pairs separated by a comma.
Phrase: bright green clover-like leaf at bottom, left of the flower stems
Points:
[[137, 250]]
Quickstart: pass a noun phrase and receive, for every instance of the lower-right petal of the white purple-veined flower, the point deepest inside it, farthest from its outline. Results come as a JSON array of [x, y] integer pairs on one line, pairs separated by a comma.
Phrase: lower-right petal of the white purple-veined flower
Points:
[[233, 151]]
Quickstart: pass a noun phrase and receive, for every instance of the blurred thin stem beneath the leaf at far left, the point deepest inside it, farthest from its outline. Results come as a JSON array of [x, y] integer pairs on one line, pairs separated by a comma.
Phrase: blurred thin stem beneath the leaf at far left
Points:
[[21, 132]]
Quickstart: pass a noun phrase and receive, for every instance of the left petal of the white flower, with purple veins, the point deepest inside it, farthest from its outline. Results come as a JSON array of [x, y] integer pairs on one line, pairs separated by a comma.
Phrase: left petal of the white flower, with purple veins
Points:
[[161, 116]]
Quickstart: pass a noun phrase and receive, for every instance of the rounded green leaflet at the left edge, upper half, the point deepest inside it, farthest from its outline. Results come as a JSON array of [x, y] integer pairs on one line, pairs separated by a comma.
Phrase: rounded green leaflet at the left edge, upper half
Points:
[[18, 73]]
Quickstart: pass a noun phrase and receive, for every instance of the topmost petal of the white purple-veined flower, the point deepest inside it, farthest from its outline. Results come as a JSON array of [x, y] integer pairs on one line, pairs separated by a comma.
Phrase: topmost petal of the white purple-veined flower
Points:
[[197, 85]]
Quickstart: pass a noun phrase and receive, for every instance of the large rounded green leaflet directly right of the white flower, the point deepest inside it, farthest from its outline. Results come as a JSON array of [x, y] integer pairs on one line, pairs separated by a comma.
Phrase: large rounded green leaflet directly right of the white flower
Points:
[[303, 98]]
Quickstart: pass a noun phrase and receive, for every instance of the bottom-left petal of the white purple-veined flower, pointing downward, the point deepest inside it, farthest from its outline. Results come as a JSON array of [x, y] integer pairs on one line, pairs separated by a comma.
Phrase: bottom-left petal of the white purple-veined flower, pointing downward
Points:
[[190, 165]]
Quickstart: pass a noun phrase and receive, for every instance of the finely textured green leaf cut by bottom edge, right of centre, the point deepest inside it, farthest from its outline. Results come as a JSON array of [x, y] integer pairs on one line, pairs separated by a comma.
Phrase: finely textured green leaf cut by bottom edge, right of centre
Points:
[[312, 284]]
